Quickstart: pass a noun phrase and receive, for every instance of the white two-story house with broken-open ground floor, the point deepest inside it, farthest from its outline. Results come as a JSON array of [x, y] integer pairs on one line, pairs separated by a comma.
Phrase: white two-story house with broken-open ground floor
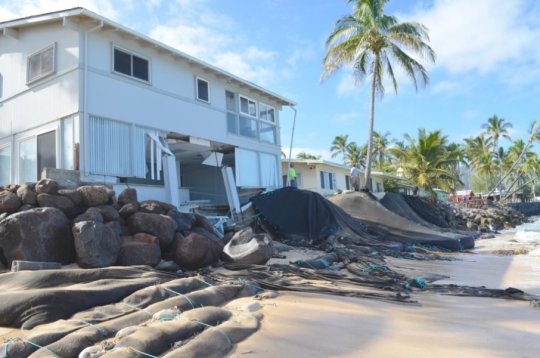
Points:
[[81, 92]]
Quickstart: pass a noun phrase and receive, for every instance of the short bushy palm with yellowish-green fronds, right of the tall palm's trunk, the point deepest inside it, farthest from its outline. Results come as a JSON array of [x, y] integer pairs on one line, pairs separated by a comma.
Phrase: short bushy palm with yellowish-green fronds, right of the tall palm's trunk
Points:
[[427, 162]]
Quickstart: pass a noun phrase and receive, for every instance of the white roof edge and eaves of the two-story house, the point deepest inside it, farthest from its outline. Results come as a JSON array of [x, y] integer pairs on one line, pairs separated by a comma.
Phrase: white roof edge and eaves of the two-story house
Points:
[[8, 28]]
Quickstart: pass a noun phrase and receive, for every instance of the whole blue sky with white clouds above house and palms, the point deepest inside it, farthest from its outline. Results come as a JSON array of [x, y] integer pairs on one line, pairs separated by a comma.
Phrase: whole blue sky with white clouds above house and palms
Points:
[[488, 60]]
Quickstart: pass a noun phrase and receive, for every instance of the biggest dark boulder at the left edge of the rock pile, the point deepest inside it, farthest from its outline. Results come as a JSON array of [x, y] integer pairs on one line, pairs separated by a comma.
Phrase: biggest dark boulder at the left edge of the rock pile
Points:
[[40, 234]]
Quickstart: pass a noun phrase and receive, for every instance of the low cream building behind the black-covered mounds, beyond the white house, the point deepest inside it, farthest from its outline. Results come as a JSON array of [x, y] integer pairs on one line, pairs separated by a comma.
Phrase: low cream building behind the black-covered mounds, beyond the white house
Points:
[[327, 177]]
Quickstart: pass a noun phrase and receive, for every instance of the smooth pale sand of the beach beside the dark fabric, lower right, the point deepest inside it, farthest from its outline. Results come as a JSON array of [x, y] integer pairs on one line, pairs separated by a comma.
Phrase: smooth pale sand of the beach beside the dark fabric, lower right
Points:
[[311, 325]]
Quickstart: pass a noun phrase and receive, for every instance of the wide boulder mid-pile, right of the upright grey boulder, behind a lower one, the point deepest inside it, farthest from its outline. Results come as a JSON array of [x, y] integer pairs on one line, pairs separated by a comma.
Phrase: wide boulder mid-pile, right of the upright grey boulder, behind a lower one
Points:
[[158, 225]]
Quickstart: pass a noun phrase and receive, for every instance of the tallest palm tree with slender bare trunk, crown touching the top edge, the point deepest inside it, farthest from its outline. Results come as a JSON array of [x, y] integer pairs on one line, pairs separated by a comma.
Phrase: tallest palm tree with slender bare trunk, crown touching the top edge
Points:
[[371, 42]]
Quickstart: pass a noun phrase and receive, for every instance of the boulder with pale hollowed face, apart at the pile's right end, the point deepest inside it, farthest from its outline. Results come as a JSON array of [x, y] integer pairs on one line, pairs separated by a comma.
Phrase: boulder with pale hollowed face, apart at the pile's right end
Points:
[[248, 248]]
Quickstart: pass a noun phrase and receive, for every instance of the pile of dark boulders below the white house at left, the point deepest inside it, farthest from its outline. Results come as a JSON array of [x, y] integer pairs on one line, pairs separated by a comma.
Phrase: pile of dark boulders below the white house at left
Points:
[[90, 226]]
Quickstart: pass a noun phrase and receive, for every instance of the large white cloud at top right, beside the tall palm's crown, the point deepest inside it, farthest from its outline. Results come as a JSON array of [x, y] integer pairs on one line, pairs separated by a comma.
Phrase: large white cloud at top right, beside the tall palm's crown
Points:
[[482, 36]]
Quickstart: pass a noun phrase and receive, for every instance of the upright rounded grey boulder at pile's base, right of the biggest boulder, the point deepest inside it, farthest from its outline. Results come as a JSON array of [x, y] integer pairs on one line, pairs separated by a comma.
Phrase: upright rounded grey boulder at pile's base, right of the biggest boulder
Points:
[[96, 244]]
